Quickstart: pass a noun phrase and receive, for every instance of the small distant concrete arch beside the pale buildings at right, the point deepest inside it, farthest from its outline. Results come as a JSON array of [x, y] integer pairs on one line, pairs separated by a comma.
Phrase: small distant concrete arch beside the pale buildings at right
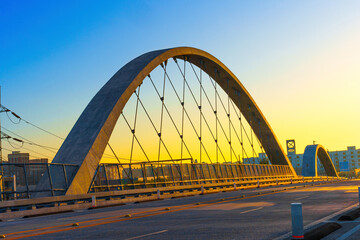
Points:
[[311, 153]]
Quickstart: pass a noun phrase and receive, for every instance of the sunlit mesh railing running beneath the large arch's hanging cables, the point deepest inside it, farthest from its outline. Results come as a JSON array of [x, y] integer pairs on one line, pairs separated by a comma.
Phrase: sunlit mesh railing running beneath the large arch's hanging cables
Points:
[[112, 177]]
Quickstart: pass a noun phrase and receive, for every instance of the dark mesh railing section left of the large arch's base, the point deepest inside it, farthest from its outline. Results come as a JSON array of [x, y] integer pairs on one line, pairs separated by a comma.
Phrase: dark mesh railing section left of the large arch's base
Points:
[[20, 180]]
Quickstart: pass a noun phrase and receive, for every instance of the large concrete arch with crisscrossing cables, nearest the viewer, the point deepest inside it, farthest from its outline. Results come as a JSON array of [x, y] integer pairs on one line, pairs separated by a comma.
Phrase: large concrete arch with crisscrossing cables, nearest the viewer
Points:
[[87, 140]]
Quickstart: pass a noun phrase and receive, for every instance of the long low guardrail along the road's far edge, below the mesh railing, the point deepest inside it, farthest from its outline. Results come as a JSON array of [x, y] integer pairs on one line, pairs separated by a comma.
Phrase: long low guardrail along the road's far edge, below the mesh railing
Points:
[[49, 205]]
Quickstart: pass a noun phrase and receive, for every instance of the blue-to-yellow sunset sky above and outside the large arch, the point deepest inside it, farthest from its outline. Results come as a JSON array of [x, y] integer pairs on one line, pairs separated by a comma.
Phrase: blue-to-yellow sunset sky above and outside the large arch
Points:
[[300, 60]]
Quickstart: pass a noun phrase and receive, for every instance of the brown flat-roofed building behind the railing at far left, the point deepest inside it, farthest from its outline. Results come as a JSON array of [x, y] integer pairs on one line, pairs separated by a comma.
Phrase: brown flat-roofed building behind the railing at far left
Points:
[[19, 167]]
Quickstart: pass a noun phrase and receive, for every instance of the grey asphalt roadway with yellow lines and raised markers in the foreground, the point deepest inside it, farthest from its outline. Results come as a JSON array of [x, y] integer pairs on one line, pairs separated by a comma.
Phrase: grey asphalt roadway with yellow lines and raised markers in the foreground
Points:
[[262, 213]]
